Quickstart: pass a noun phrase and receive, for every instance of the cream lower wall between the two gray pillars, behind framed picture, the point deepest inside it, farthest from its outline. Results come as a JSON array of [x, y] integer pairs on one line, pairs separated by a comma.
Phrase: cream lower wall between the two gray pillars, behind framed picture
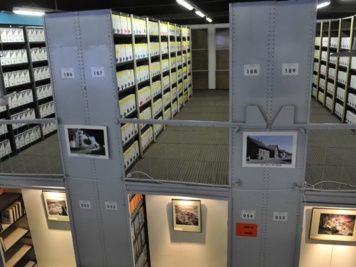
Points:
[[176, 249]]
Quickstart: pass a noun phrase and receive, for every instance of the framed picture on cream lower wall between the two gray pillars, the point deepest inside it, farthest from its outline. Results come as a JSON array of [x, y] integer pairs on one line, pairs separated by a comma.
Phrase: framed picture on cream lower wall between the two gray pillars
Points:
[[186, 215]]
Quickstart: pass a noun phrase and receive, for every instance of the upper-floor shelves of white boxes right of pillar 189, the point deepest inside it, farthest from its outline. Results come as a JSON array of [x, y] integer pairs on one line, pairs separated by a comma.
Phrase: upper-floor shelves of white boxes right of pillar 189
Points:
[[334, 78]]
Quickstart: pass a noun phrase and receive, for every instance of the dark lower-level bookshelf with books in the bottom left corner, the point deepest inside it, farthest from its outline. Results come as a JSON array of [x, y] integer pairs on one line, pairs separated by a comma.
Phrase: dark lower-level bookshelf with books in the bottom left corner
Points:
[[15, 242]]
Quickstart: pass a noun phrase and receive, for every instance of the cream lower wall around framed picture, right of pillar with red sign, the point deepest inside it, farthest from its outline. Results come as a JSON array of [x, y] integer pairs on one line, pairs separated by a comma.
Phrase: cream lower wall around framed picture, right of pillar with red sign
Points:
[[316, 253]]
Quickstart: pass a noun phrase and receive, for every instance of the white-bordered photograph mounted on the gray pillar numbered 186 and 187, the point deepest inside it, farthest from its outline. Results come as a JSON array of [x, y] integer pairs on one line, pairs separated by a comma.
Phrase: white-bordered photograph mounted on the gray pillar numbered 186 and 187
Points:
[[86, 141]]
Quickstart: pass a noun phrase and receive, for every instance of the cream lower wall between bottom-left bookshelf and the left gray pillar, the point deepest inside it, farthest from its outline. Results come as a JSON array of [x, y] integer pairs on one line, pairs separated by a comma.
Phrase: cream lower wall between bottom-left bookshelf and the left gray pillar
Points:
[[52, 240]]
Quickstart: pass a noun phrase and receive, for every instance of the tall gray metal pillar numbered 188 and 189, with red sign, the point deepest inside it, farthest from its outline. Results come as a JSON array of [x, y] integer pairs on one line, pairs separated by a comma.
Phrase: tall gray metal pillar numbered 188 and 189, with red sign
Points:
[[271, 53]]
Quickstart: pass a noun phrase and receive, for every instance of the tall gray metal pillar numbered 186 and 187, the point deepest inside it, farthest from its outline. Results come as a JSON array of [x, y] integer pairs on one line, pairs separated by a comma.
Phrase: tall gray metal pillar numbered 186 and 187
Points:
[[79, 44]]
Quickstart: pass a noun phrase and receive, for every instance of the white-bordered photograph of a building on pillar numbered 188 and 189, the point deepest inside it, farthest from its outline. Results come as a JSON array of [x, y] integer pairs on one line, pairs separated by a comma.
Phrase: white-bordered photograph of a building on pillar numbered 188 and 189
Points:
[[269, 149]]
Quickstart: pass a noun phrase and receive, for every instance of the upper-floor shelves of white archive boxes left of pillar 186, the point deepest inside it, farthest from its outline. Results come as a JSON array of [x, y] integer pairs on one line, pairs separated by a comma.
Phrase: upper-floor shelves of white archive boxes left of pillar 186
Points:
[[26, 82]]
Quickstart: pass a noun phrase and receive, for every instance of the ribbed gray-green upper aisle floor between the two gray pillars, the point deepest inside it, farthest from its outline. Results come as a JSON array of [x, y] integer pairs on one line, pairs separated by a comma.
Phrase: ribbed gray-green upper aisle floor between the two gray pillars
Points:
[[191, 154]]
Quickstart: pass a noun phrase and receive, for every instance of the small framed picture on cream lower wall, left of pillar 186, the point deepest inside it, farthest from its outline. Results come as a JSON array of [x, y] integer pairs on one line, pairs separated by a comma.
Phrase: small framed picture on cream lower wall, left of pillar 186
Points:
[[56, 206]]
